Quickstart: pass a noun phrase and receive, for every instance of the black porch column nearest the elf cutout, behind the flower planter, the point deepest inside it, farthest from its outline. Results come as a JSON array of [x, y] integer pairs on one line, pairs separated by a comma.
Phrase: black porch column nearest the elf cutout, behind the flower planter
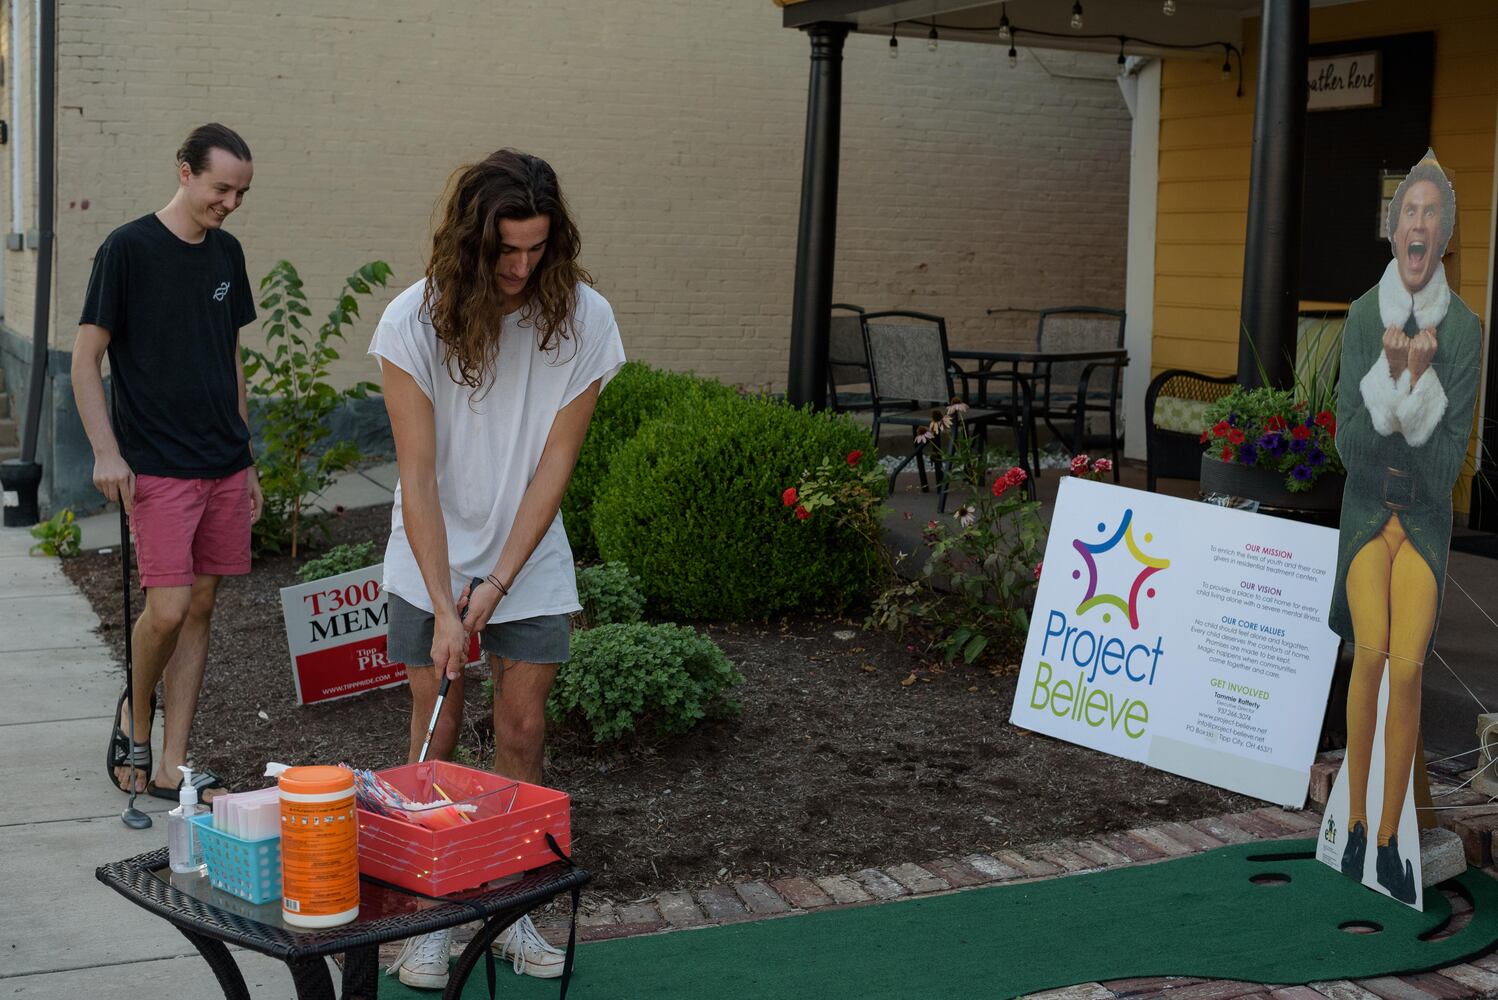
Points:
[[1273, 243]]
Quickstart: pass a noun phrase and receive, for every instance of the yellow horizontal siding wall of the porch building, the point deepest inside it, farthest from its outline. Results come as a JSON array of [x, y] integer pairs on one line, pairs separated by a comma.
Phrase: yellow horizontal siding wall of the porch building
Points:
[[1205, 138]]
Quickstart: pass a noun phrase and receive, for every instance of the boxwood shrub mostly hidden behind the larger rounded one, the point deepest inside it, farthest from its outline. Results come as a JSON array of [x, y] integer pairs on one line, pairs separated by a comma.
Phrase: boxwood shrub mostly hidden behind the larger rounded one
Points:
[[634, 396]]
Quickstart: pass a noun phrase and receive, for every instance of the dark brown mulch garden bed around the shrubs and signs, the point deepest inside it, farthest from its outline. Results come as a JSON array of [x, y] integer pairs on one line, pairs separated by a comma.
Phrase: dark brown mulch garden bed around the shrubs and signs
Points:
[[841, 761]]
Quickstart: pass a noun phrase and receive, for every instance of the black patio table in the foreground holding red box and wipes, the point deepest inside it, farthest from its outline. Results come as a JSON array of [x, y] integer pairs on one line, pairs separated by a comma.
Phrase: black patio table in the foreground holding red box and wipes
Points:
[[213, 920]]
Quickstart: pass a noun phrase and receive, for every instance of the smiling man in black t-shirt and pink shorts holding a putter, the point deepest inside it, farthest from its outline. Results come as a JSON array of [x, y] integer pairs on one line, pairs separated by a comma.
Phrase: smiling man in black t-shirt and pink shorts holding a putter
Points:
[[167, 300]]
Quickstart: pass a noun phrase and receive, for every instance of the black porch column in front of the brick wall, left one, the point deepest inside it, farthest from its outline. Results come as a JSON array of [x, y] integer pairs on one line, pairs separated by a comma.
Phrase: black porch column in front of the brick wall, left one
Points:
[[817, 239]]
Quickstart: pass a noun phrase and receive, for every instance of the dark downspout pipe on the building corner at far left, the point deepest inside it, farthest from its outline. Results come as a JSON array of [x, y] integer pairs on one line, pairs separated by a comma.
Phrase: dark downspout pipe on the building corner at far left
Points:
[[25, 477]]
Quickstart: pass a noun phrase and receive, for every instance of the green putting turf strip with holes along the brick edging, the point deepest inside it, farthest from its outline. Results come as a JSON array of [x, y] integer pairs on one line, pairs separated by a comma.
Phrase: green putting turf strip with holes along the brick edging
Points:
[[1195, 917]]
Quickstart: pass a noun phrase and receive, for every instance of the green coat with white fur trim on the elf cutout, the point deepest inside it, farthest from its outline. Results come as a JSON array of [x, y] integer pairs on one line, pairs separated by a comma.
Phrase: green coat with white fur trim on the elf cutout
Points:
[[1403, 447]]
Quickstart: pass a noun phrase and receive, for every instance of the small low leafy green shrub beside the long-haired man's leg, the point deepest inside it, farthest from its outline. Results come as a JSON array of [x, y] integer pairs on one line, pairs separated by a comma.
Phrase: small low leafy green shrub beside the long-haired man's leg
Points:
[[654, 680]]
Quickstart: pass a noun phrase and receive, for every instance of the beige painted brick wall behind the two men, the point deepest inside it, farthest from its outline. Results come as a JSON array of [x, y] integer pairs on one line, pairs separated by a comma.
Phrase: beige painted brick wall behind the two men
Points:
[[676, 128]]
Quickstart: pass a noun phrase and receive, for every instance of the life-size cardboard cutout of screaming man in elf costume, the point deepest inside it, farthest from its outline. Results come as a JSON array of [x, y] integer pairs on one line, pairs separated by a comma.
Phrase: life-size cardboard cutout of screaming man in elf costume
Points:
[[1409, 385]]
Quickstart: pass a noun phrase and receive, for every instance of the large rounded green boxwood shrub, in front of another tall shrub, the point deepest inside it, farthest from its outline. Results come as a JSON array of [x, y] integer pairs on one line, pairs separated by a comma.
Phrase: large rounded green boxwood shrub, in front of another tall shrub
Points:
[[693, 505]]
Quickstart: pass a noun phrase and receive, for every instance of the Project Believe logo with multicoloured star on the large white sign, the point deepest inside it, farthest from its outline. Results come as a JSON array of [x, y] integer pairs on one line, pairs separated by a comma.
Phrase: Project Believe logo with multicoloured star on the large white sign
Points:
[[1114, 671]]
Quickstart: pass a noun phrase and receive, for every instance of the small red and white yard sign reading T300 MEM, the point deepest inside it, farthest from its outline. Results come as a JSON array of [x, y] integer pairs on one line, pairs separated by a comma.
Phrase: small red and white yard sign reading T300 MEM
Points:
[[336, 634]]
